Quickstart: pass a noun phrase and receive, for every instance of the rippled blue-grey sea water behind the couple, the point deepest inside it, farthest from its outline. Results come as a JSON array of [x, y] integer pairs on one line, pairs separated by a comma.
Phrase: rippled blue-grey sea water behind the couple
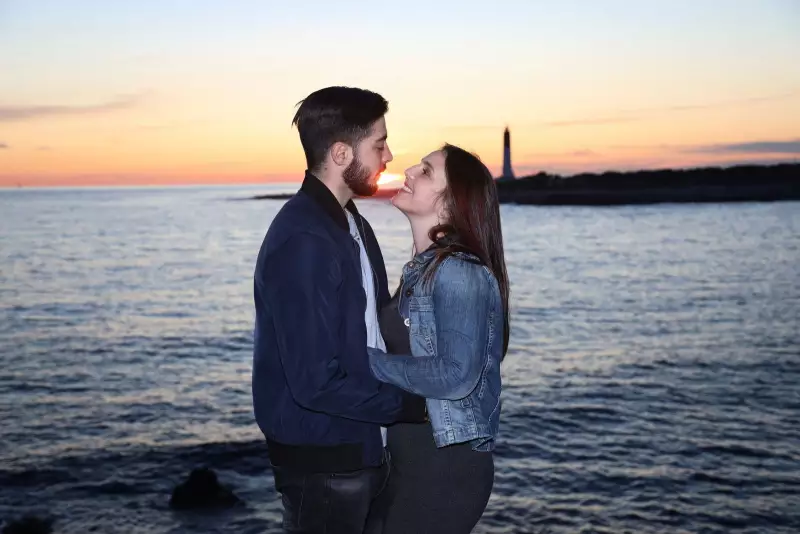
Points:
[[652, 385]]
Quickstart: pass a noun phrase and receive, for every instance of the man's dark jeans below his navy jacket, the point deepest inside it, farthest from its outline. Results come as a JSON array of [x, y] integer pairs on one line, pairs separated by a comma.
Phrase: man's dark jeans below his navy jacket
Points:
[[332, 503]]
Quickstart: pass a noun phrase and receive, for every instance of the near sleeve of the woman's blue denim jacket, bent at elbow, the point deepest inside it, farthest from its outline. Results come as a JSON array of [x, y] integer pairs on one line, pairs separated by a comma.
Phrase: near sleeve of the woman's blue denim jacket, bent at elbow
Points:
[[462, 300]]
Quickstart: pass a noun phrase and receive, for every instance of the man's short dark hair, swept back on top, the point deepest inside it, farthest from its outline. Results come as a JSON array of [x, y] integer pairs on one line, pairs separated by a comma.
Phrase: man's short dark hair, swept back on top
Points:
[[336, 115]]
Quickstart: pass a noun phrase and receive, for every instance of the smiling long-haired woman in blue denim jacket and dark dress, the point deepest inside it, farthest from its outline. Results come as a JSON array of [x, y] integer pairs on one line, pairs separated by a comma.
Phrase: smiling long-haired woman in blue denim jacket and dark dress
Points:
[[446, 331]]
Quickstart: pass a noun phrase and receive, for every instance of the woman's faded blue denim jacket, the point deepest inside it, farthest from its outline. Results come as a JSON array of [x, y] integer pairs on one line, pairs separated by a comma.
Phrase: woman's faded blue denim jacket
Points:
[[455, 322]]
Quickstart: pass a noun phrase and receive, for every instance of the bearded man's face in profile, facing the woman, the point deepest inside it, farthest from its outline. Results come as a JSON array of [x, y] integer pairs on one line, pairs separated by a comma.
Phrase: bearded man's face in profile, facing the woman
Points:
[[369, 161]]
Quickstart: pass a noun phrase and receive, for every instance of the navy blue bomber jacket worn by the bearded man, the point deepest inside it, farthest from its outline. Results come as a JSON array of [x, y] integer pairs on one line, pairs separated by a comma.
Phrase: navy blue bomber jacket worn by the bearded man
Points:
[[314, 396]]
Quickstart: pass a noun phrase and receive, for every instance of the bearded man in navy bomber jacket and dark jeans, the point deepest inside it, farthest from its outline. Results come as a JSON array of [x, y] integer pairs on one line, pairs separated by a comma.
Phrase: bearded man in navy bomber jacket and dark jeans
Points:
[[319, 281]]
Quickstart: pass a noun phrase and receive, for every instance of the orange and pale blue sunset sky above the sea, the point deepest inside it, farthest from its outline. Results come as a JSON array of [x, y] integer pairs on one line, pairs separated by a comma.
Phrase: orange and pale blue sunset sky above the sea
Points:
[[192, 91]]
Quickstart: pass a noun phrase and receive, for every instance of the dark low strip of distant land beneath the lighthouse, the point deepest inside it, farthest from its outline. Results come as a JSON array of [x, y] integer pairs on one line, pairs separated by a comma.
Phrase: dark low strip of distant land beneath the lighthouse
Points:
[[740, 183]]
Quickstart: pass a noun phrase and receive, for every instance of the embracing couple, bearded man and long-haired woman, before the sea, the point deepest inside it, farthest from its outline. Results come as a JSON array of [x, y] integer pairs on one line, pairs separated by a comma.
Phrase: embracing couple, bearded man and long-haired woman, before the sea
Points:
[[380, 412]]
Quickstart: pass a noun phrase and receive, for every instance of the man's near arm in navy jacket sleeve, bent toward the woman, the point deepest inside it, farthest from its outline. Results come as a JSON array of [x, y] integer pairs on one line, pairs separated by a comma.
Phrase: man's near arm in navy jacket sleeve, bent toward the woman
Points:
[[301, 289]]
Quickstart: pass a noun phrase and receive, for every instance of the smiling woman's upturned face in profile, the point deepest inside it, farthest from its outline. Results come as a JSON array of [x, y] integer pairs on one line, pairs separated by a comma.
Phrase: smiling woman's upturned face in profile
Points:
[[421, 194]]
